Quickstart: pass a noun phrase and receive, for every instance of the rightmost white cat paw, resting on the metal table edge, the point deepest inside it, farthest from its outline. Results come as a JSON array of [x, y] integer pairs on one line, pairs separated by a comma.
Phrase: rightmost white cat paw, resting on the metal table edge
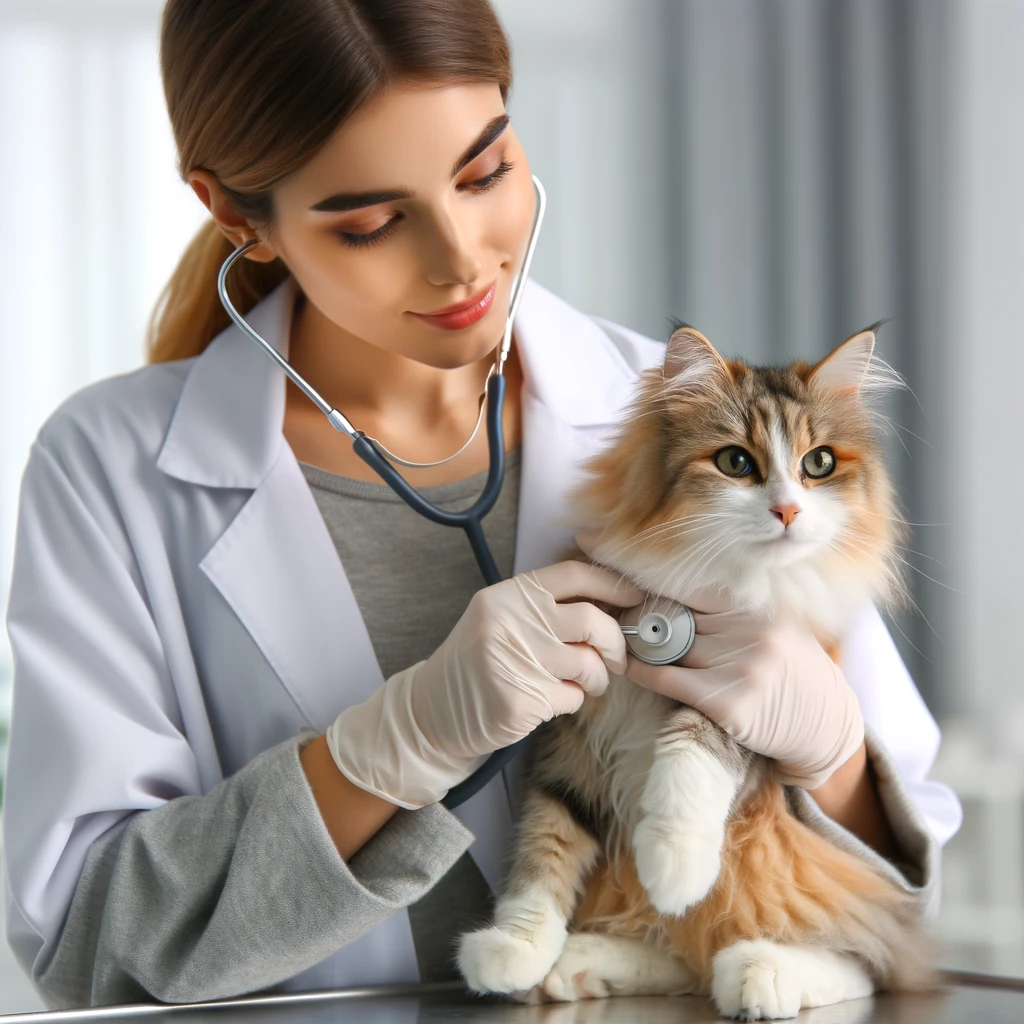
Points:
[[756, 979]]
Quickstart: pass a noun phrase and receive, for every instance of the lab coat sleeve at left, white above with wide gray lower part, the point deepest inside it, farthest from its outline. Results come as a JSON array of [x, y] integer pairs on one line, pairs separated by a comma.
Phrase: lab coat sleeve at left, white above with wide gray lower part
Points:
[[124, 882]]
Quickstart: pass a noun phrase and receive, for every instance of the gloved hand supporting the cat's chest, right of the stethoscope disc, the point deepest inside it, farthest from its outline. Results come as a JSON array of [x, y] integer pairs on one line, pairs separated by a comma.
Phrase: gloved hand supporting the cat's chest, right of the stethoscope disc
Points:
[[771, 686]]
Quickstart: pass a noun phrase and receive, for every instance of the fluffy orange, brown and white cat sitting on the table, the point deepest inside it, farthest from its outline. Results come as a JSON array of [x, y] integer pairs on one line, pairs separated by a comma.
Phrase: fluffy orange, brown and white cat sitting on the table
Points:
[[655, 855]]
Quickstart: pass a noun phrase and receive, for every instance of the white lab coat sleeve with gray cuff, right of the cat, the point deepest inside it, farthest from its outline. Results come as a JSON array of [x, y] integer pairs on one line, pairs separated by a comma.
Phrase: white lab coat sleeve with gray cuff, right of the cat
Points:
[[902, 740]]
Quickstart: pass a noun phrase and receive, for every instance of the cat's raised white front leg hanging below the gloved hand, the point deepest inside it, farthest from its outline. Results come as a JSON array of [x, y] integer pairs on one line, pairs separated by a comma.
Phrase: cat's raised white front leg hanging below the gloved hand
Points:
[[697, 773]]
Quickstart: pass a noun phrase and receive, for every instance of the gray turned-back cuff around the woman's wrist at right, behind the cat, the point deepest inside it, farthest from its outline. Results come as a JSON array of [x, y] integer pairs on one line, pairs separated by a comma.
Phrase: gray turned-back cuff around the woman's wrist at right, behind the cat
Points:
[[917, 871]]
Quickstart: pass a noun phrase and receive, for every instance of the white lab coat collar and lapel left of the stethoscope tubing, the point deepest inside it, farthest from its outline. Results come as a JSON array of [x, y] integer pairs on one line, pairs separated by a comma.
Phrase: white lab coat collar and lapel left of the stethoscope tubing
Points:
[[275, 565]]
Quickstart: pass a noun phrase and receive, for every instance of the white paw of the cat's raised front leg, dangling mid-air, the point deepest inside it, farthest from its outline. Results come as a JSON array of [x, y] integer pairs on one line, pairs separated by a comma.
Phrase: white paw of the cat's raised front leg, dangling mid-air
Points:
[[678, 867]]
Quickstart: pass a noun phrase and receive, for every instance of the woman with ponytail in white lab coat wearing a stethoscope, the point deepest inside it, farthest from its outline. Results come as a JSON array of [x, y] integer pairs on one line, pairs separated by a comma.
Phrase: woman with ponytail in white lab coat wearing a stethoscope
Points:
[[229, 744]]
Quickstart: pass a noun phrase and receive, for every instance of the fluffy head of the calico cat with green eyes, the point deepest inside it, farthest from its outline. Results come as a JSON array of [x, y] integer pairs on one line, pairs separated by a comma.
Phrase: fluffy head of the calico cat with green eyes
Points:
[[766, 483]]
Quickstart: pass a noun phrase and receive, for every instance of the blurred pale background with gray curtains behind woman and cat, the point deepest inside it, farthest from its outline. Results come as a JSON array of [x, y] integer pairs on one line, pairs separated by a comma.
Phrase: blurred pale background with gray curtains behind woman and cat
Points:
[[780, 174]]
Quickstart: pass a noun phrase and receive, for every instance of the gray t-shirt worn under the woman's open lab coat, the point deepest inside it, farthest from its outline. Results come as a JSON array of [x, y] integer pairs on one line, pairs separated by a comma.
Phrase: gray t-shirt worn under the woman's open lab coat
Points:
[[412, 580]]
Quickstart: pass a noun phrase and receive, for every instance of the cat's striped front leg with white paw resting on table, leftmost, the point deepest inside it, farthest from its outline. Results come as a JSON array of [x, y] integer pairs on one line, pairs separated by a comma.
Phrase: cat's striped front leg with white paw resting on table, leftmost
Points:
[[553, 857]]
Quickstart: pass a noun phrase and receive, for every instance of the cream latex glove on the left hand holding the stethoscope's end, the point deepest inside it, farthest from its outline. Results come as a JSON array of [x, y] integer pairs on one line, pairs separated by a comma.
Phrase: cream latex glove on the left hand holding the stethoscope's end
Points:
[[516, 659]]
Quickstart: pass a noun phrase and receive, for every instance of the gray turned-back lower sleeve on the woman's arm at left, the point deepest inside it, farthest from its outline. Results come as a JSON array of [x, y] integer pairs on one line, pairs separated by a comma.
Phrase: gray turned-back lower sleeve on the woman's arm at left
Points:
[[235, 891]]
